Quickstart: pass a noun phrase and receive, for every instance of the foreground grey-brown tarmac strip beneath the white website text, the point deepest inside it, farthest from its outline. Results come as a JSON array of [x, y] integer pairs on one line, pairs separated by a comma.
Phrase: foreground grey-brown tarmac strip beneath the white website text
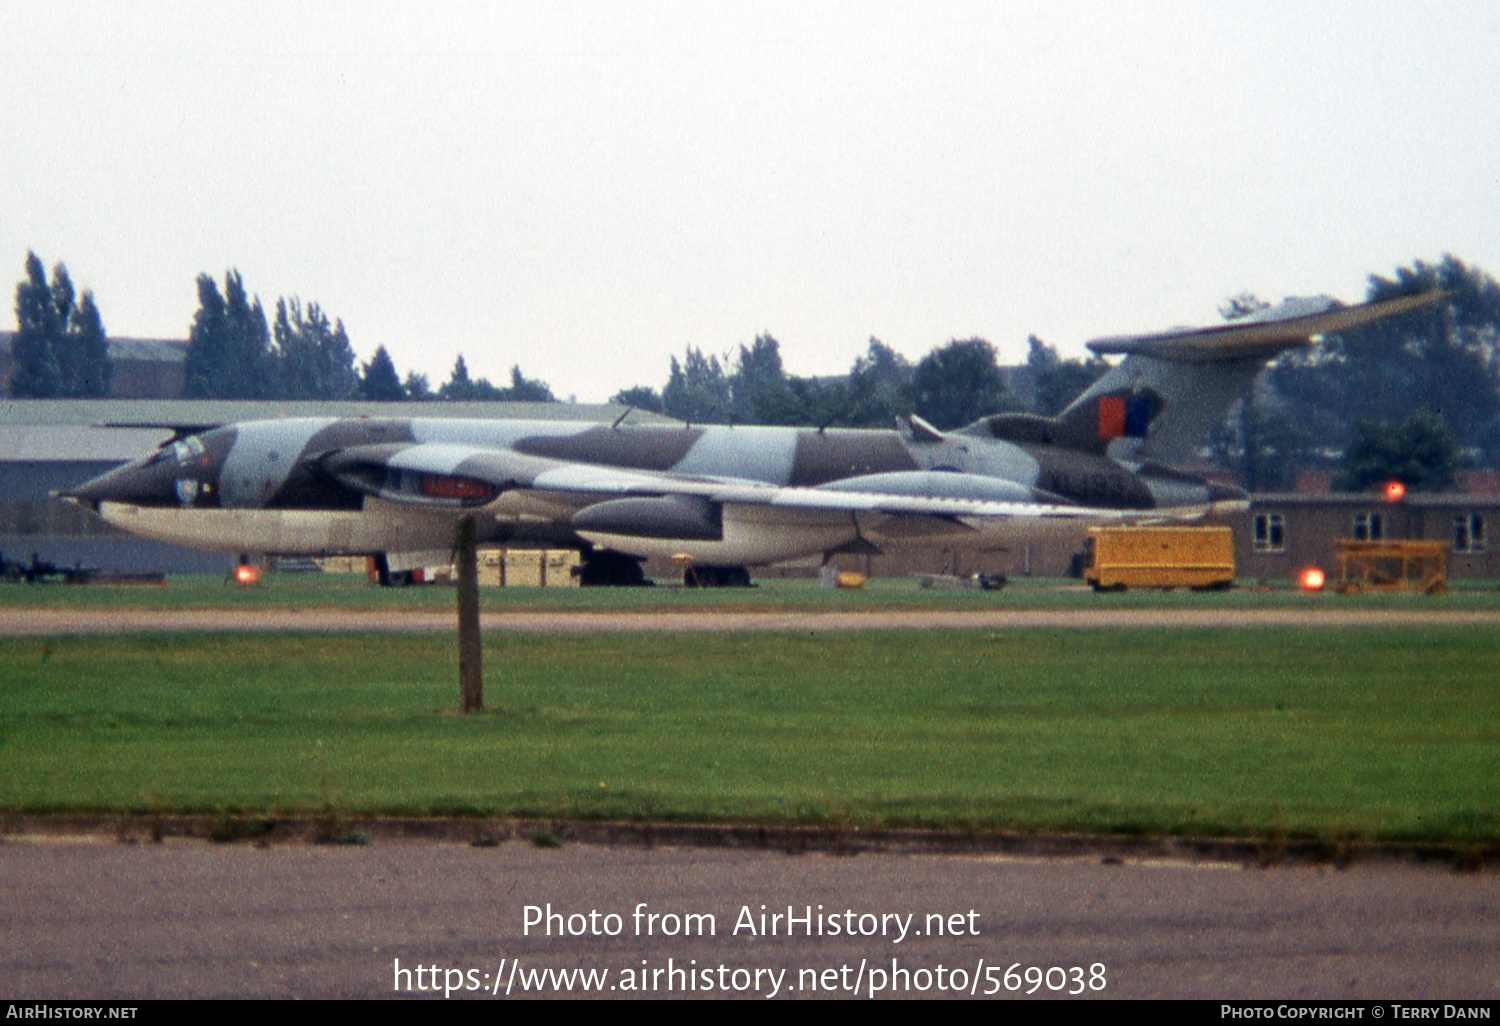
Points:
[[97, 919]]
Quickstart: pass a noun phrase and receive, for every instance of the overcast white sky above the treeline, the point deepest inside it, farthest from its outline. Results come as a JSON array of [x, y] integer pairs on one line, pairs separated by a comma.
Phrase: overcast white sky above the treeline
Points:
[[587, 190]]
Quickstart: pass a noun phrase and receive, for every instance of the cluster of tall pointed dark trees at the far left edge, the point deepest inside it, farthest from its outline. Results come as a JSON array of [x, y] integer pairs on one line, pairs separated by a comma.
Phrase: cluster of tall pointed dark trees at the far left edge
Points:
[[59, 350]]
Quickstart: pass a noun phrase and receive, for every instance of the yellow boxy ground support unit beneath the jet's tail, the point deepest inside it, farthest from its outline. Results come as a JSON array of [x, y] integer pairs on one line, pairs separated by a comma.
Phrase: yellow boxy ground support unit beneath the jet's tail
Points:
[[1160, 557]]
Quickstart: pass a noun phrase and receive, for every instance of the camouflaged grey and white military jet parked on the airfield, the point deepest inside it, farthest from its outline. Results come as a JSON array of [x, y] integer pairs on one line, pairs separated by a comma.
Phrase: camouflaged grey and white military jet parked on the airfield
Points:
[[722, 499]]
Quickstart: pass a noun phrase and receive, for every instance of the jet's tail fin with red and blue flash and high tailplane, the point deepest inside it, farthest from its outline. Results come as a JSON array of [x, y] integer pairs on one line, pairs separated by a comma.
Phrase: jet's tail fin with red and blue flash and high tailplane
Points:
[[1174, 389]]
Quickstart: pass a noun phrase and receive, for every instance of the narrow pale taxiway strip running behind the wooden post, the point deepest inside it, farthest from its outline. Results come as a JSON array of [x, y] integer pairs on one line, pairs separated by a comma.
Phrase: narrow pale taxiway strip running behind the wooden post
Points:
[[32, 623]]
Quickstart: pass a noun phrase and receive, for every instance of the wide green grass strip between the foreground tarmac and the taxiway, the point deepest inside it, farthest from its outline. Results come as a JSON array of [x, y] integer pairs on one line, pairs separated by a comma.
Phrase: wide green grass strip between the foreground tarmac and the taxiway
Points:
[[1333, 734]]
